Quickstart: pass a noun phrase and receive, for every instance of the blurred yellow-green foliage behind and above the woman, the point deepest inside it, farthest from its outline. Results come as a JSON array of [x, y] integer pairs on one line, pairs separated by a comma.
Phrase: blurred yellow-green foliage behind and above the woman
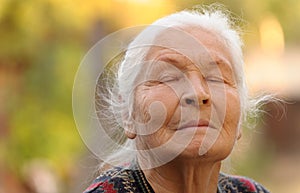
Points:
[[43, 41]]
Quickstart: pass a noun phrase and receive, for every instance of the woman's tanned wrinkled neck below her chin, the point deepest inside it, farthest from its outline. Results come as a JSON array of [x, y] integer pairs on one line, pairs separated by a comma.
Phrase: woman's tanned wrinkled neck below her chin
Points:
[[184, 176]]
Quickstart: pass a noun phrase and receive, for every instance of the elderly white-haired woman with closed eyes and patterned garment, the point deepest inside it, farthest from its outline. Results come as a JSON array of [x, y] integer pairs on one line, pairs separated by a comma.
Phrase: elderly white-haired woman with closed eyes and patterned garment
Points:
[[180, 96]]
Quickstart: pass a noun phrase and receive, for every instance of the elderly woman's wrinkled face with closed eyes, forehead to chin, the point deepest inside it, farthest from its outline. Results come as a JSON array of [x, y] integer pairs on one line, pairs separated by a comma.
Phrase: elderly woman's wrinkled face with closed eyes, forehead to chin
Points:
[[186, 102]]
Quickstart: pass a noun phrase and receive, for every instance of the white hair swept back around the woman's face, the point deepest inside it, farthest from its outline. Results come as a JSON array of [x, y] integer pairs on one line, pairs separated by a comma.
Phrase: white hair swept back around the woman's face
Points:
[[118, 98]]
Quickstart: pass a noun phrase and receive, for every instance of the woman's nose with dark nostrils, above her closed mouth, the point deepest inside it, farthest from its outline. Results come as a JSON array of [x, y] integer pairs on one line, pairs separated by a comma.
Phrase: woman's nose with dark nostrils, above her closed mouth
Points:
[[196, 95]]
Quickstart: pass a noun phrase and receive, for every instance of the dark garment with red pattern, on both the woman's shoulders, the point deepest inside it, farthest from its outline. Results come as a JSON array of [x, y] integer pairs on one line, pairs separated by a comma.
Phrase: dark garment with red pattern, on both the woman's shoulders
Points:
[[119, 180]]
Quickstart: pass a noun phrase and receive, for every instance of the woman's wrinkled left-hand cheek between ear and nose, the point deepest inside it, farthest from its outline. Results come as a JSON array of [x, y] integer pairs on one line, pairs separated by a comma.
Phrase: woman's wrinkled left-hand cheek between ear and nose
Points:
[[145, 113]]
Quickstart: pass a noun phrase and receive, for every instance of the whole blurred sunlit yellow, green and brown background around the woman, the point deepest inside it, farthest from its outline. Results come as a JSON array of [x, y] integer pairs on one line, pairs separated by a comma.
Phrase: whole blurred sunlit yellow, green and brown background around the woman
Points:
[[42, 43]]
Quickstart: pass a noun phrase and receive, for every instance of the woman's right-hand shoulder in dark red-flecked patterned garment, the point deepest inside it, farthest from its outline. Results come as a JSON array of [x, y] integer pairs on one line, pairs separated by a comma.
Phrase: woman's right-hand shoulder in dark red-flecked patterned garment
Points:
[[231, 183]]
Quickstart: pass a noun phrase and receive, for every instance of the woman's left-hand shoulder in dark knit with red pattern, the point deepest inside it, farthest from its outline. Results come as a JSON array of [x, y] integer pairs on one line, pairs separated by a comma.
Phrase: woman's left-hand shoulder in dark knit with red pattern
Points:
[[113, 181]]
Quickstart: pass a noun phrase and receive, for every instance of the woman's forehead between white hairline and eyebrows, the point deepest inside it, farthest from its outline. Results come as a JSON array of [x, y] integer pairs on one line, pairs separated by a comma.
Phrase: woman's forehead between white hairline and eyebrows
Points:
[[192, 42]]
